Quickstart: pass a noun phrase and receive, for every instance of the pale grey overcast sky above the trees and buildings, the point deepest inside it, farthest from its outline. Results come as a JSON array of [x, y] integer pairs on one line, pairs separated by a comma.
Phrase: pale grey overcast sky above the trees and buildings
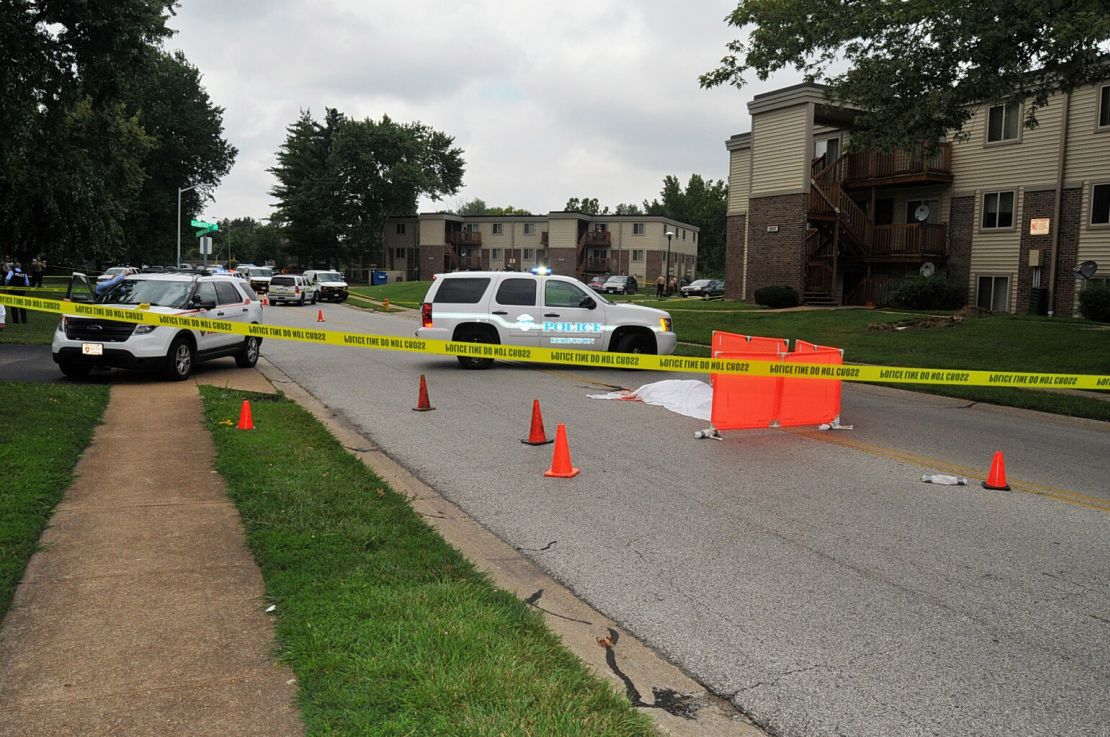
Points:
[[548, 100]]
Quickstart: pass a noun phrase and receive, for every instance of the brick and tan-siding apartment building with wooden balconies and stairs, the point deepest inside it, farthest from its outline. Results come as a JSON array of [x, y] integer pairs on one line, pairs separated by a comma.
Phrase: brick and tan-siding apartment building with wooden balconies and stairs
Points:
[[1007, 211]]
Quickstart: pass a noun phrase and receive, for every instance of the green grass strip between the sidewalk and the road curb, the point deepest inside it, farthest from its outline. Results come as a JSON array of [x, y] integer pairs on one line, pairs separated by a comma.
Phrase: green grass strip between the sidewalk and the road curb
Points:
[[389, 630]]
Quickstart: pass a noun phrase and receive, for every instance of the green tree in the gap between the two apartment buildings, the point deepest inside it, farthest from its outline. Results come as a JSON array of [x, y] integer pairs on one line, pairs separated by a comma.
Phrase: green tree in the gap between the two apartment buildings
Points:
[[704, 205]]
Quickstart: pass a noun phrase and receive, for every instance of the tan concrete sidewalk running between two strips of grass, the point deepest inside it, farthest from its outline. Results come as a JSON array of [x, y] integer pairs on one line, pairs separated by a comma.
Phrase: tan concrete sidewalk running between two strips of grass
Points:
[[145, 613]]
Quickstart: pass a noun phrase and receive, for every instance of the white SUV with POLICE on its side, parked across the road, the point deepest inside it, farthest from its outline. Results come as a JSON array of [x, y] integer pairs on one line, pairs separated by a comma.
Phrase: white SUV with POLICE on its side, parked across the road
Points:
[[538, 310]]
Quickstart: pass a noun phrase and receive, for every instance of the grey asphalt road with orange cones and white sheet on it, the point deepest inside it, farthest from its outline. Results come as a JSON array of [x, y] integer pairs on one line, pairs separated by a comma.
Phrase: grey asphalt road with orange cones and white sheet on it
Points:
[[811, 578]]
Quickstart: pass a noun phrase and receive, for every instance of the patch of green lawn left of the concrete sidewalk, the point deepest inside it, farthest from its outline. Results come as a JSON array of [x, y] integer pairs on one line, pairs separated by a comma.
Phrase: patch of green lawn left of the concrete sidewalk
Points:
[[45, 431]]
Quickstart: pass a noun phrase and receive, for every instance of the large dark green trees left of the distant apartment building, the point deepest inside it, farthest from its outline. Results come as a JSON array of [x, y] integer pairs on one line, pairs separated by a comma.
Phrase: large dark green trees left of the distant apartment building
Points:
[[339, 181]]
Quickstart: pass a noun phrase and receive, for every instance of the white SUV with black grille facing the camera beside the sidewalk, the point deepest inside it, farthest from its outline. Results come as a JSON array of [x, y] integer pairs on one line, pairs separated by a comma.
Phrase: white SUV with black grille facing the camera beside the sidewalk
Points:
[[83, 344]]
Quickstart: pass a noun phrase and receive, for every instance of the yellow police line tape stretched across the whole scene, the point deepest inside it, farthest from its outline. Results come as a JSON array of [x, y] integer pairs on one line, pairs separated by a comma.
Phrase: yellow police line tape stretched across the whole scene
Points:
[[641, 361]]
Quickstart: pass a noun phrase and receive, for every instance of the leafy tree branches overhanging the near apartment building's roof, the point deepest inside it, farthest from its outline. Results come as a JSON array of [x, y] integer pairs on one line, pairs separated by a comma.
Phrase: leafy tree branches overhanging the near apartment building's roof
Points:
[[919, 68]]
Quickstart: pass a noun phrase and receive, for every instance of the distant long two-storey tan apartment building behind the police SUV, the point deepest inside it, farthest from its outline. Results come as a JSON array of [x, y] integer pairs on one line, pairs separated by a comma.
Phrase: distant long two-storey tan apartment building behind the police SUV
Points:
[[570, 244]]
